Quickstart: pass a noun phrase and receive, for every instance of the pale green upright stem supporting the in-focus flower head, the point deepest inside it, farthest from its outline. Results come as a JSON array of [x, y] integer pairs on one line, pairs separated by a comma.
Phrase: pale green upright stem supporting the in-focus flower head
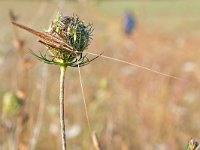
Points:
[[62, 116]]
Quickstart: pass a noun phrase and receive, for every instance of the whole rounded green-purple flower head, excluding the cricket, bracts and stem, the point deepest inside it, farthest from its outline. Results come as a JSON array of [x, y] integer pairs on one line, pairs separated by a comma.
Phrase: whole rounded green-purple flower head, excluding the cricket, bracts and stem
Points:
[[73, 32]]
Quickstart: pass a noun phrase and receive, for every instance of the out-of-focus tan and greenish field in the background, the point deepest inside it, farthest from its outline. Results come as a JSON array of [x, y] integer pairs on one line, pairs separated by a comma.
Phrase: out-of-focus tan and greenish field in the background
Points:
[[129, 108]]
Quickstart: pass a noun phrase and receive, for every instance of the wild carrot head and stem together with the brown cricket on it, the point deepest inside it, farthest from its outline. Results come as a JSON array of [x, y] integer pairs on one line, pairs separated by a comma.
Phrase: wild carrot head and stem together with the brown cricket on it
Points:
[[65, 40]]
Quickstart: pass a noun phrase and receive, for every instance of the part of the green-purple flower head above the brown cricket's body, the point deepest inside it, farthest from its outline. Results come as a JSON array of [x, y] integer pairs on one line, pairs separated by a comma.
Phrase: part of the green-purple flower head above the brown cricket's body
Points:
[[72, 30]]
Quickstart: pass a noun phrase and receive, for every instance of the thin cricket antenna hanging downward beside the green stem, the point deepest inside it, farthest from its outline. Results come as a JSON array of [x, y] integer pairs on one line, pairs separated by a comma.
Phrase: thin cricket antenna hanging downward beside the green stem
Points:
[[84, 101]]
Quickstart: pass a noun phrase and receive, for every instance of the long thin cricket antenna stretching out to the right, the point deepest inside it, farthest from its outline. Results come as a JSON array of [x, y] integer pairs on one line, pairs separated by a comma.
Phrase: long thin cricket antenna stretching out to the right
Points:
[[133, 64]]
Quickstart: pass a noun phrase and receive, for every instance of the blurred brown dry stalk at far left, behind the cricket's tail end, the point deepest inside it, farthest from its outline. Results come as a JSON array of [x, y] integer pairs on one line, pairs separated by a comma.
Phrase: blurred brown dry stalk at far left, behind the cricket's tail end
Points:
[[22, 91]]
